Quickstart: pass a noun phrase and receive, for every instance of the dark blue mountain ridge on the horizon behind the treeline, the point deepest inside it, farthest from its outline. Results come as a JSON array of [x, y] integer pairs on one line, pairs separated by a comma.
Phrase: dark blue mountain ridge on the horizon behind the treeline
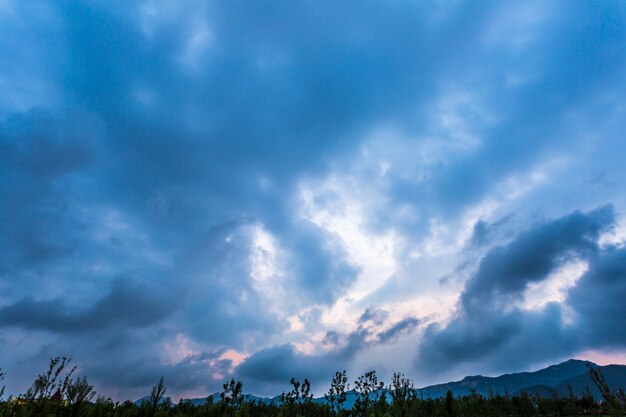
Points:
[[553, 380]]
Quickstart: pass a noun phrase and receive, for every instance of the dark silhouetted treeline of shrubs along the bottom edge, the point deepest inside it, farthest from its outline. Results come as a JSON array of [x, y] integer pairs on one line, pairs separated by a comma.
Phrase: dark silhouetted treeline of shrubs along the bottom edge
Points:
[[57, 393]]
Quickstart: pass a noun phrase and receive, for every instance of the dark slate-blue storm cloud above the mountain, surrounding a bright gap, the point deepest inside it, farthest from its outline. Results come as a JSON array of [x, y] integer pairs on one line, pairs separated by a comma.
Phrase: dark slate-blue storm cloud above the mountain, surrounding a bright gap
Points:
[[490, 329]]
